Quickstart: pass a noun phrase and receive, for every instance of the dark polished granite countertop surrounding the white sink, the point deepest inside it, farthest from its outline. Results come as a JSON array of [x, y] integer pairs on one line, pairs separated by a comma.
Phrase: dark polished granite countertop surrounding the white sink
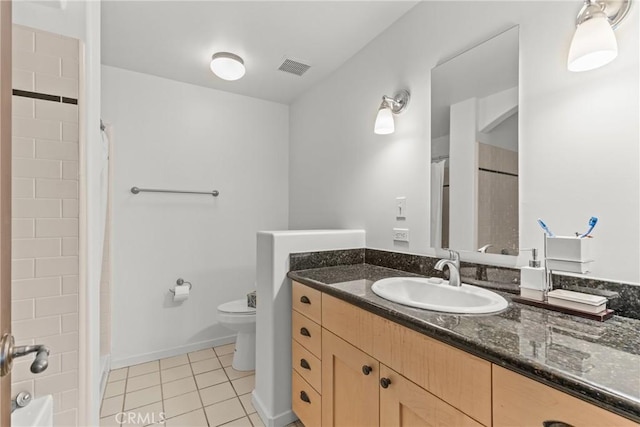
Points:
[[596, 361]]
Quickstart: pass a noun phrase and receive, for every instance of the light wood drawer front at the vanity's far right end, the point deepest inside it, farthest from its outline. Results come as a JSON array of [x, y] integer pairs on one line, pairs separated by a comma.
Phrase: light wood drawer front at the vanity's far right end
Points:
[[520, 401]]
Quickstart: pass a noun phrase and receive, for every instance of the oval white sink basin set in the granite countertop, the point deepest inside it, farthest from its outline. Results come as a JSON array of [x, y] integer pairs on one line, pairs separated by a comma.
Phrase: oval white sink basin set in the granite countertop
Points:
[[436, 294]]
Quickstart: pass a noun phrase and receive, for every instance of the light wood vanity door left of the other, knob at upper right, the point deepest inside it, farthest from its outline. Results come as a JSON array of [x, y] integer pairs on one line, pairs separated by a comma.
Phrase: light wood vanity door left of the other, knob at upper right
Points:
[[349, 384]]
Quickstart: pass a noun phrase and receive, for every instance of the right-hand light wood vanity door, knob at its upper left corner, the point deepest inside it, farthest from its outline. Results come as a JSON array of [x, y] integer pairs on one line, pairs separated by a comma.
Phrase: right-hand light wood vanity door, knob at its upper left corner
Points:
[[403, 403]]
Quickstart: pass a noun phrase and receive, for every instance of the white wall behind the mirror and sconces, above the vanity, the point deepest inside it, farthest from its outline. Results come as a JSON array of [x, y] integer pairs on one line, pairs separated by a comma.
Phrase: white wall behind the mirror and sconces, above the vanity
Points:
[[578, 132]]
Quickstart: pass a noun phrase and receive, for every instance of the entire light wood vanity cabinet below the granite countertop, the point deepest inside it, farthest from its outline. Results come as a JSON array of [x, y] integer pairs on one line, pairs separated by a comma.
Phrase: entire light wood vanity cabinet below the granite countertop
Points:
[[353, 368]]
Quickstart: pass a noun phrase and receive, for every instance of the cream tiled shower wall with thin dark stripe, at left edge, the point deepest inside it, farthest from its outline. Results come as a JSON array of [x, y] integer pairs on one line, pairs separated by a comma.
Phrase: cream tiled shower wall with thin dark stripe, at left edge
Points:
[[45, 256]]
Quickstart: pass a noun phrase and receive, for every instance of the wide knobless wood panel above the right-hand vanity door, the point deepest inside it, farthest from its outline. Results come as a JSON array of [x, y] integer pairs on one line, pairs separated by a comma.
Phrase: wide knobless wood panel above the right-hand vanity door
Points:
[[460, 379]]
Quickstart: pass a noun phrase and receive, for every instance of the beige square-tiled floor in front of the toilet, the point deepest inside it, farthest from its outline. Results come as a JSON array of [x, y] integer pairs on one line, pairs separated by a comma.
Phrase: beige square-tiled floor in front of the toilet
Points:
[[198, 389]]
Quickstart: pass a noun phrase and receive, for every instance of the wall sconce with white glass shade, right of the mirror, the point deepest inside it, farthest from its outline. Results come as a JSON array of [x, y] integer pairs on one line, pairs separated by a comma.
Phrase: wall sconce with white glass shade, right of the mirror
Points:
[[594, 44]]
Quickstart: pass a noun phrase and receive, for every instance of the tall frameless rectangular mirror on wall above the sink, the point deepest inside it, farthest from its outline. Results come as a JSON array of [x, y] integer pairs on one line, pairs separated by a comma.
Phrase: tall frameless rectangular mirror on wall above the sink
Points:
[[474, 148]]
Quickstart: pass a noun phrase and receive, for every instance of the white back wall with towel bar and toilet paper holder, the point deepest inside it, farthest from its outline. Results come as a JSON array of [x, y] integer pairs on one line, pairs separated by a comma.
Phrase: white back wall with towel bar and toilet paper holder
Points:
[[168, 134]]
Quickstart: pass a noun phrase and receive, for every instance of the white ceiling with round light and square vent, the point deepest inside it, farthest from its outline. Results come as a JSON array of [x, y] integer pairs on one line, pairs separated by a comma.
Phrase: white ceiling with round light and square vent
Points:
[[175, 39]]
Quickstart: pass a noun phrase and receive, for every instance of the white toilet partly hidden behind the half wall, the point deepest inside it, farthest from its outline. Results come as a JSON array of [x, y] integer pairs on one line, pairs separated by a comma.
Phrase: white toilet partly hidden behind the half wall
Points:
[[238, 316]]
